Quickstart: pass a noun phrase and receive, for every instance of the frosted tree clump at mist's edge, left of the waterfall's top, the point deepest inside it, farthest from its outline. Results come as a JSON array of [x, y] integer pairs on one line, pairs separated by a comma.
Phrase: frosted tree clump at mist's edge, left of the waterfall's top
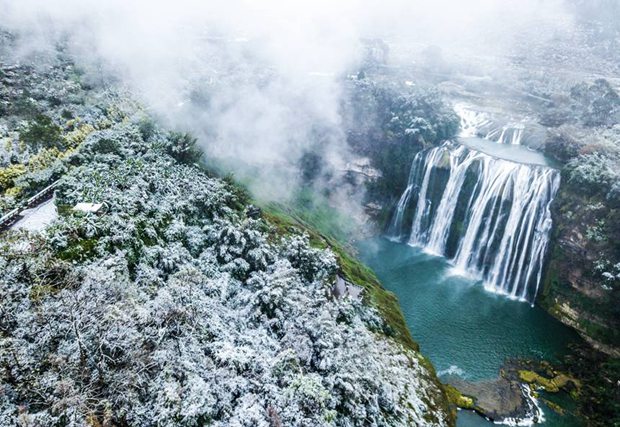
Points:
[[389, 123]]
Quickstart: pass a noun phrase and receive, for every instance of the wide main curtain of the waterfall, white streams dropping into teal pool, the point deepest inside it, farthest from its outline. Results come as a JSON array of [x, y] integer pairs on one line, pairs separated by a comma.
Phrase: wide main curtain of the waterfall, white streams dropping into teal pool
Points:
[[491, 217]]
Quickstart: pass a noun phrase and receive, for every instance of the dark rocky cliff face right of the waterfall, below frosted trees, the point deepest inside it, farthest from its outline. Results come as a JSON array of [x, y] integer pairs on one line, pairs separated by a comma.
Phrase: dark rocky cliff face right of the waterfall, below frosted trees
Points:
[[581, 285]]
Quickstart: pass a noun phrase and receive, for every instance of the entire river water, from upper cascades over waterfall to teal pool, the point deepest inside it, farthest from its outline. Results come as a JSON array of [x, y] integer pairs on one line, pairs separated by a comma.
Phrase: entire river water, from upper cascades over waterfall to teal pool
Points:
[[466, 247]]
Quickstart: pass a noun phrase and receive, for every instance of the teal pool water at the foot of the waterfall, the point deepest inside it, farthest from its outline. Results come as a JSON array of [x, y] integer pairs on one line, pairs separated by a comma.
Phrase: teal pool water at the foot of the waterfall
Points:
[[464, 329]]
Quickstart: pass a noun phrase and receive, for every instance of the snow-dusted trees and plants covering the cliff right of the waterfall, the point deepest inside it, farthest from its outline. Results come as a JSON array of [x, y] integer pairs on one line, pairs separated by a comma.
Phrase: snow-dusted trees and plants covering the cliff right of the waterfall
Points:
[[582, 284]]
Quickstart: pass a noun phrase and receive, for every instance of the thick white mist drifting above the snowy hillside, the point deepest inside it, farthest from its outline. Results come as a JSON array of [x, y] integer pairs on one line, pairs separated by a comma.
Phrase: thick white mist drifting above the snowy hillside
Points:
[[261, 83]]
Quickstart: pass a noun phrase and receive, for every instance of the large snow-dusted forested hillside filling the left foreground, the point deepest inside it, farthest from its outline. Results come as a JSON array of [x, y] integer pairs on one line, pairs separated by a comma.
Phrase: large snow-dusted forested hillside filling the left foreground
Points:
[[178, 303]]
